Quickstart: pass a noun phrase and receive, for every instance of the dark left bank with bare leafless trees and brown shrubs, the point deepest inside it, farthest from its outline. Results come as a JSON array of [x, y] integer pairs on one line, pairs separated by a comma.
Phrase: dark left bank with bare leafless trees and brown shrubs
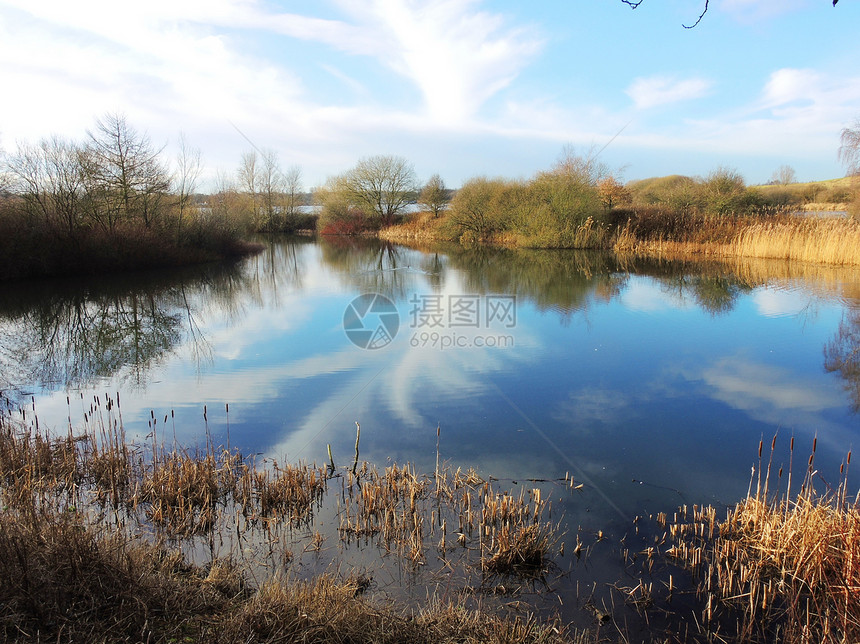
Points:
[[108, 203]]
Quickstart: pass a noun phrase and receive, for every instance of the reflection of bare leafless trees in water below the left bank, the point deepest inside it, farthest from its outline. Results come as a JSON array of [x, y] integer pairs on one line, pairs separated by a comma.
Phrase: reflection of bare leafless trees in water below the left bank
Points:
[[68, 335]]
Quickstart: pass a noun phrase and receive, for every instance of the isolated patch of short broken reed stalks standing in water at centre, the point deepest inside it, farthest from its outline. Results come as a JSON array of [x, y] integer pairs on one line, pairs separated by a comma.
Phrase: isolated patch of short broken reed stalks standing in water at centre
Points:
[[451, 510]]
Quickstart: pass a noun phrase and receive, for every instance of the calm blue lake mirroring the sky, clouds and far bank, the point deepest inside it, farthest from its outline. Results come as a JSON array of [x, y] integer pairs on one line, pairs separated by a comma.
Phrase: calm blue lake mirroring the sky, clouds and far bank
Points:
[[650, 382]]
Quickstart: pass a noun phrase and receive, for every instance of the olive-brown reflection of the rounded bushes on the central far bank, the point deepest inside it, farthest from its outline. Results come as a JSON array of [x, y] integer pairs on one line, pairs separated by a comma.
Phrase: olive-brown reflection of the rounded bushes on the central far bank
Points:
[[565, 281]]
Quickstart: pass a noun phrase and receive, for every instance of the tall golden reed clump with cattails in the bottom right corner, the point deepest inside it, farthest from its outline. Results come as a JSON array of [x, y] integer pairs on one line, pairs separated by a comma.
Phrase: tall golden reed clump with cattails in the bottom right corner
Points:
[[781, 567]]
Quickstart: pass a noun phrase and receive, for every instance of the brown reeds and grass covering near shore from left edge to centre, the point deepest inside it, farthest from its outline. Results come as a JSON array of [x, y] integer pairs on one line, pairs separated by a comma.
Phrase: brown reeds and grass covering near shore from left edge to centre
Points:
[[98, 535]]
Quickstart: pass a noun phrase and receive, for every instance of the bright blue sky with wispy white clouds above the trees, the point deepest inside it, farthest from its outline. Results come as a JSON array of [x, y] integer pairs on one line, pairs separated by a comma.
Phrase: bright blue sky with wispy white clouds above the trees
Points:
[[462, 88]]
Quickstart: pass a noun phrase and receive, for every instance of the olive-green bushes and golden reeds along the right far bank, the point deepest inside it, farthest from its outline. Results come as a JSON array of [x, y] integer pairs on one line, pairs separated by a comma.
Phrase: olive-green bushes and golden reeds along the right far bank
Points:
[[580, 203]]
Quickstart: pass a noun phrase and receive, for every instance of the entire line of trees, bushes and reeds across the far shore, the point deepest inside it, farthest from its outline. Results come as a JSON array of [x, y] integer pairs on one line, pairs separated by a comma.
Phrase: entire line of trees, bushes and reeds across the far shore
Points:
[[112, 202]]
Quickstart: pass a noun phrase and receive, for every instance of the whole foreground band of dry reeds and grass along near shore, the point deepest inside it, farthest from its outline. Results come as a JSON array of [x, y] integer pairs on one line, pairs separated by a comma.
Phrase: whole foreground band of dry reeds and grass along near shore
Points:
[[99, 538]]
